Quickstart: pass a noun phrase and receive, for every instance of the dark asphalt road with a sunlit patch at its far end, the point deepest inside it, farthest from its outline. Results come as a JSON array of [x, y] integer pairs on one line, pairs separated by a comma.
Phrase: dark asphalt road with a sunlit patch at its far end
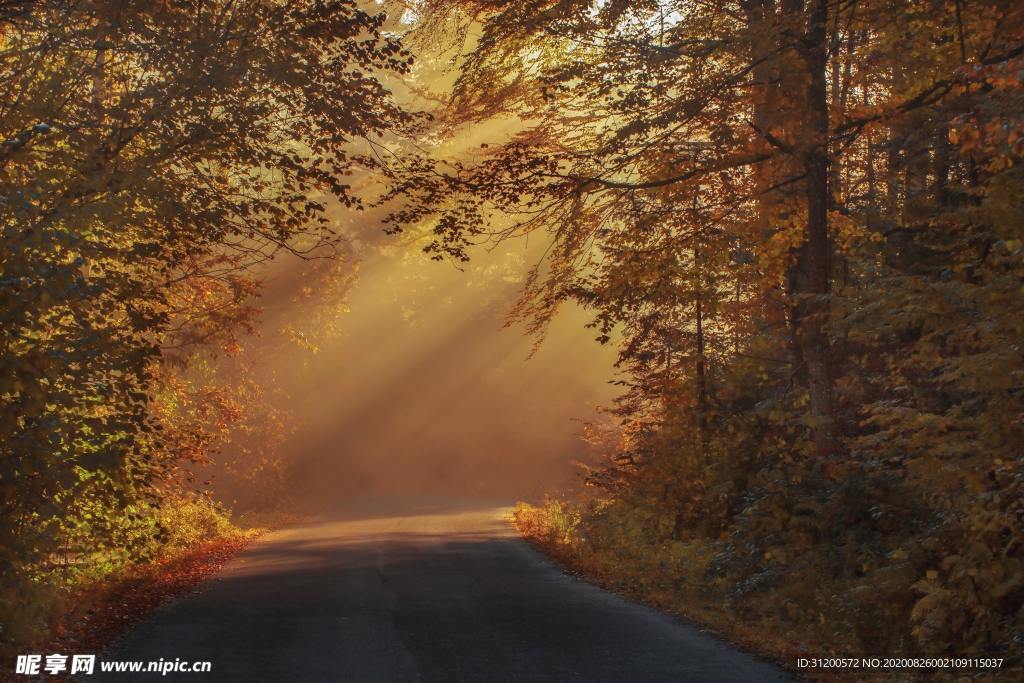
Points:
[[418, 590]]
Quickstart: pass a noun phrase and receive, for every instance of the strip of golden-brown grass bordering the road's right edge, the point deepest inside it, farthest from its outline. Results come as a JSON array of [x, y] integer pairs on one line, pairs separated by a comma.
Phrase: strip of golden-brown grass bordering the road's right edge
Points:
[[600, 543]]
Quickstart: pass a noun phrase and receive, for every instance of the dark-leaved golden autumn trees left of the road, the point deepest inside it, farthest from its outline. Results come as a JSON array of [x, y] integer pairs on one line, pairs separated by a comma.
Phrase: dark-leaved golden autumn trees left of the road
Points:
[[151, 154]]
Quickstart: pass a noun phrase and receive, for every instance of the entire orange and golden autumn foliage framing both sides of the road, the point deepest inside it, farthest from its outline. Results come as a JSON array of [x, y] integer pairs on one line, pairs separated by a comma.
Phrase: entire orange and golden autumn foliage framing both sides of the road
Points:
[[798, 222]]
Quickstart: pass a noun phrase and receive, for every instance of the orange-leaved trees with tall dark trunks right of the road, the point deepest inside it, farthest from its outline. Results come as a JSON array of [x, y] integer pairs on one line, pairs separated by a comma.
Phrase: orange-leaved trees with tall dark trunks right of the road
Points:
[[801, 219]]
